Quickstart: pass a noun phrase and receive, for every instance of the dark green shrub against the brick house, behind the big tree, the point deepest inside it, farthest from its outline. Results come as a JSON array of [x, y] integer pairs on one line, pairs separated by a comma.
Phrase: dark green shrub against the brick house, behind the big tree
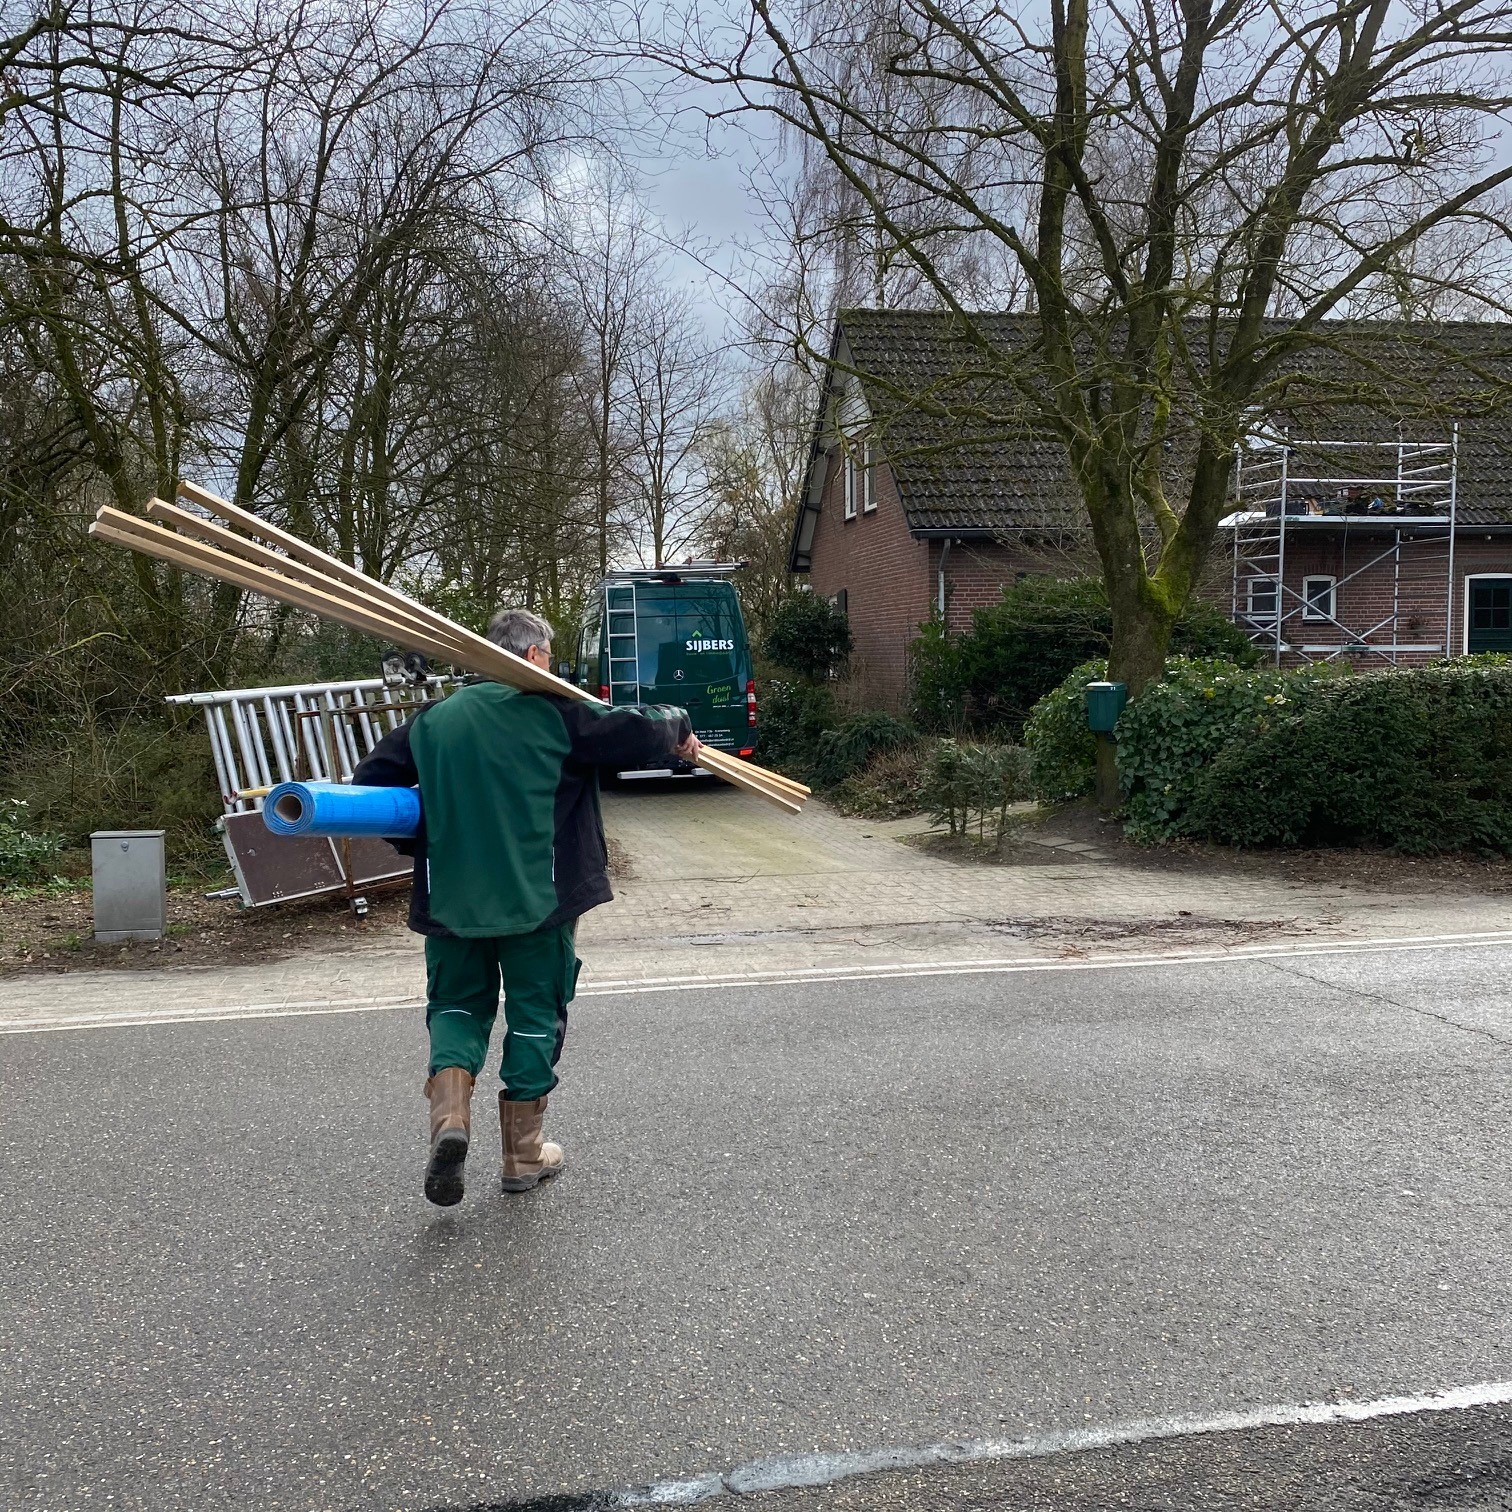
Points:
[[1029, 643]]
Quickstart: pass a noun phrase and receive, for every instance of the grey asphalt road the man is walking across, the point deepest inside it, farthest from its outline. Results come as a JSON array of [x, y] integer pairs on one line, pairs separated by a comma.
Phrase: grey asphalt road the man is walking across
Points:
[[798, 1219]]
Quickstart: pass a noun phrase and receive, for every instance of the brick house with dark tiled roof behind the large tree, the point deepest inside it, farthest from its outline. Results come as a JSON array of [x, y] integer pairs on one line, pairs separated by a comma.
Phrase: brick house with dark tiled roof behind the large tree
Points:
[[1352, 536]]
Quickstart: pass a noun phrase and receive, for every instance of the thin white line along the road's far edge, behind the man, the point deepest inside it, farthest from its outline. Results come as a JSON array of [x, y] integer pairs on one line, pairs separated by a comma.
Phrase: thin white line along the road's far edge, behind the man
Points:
[[214, 1014]]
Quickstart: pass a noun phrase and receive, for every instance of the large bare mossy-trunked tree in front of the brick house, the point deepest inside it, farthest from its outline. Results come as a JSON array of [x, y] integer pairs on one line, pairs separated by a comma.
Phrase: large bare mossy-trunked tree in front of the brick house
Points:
[[1188, 190]]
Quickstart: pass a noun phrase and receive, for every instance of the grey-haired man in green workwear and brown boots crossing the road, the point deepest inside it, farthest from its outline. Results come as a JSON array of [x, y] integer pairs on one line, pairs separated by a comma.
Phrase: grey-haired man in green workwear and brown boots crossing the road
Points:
[[509, 857]]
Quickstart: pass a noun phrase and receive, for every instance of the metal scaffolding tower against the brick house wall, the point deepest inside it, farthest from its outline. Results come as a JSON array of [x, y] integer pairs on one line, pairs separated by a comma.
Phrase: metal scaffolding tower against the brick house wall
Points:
[[1401, 516]]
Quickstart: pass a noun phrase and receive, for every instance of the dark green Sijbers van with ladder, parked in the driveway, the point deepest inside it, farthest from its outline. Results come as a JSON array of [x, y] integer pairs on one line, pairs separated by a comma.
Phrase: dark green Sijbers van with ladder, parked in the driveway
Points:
[[674, 636]]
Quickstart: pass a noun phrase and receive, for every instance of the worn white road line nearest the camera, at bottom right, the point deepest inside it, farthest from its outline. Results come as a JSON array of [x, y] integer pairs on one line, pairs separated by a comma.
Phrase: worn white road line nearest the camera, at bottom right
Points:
[[822, 1470]]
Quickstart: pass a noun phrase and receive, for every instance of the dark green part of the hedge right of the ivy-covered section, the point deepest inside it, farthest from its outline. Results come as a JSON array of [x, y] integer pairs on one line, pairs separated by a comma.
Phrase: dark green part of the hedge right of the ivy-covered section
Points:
[[1416, 760]]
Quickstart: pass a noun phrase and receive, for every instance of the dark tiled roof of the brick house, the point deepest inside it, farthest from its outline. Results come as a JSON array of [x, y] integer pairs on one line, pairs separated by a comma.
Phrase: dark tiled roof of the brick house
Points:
[[970, 454]]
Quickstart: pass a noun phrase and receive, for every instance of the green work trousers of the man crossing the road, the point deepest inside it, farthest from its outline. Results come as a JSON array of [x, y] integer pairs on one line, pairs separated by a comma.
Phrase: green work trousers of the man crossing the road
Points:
[[539, 974]]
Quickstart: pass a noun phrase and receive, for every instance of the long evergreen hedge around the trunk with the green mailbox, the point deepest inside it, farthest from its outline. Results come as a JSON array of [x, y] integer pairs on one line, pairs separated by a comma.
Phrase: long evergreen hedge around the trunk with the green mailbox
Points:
[[1417, 760]]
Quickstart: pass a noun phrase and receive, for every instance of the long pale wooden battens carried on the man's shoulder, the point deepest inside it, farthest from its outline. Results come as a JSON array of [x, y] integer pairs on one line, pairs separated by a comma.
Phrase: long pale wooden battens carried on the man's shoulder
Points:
[[302, 575]]
